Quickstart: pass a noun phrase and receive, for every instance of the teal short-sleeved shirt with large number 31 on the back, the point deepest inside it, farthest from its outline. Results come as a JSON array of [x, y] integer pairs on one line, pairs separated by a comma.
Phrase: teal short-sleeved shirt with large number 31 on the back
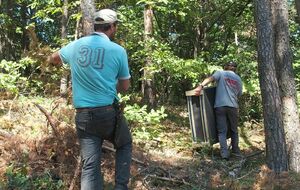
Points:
[[96, 66]]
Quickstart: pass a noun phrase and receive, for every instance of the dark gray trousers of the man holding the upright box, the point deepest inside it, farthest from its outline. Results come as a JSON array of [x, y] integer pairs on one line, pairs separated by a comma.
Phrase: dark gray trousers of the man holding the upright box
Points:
[[227, 121]]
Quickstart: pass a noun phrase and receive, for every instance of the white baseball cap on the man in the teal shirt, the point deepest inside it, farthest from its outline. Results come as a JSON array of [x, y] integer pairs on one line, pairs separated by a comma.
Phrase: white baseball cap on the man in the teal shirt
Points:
[[105, 16]]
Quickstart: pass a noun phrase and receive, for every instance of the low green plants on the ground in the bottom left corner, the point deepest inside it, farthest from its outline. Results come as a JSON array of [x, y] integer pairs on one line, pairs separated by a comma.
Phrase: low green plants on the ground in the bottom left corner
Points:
[[17, 177]]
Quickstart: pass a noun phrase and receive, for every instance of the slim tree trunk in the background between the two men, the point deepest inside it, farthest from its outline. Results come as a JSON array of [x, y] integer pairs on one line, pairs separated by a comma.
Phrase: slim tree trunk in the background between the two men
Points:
[[147, 86]]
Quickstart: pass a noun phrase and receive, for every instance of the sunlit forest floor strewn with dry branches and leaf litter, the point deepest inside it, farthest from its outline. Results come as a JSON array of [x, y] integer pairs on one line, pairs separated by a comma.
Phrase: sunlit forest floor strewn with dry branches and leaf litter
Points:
[[30, 143]]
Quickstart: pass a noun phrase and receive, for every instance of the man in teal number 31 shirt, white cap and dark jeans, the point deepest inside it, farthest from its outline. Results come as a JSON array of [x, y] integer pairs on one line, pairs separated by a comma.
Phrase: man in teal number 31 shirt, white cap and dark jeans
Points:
[[99, 70]]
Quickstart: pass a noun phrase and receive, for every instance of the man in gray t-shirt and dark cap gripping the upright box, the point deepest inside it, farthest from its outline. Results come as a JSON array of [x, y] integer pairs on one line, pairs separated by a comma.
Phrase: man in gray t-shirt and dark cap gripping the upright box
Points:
[[229, 88]]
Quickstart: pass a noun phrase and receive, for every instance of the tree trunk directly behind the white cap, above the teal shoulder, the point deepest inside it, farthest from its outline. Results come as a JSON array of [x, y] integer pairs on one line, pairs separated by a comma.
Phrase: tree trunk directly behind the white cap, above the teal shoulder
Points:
[[88, 11]]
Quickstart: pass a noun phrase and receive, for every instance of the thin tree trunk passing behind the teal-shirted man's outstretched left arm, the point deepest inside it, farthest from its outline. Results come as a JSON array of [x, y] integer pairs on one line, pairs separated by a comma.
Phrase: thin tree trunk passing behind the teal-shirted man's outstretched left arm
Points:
[[66, 73]]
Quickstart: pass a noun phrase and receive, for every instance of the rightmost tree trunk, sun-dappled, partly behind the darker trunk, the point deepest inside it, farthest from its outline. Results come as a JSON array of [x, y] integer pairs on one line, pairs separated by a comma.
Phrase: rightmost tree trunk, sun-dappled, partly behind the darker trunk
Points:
[[286, 81]]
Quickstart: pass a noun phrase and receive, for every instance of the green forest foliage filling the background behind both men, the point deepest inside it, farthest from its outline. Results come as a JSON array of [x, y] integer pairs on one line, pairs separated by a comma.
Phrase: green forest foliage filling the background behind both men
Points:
[[190, 40]]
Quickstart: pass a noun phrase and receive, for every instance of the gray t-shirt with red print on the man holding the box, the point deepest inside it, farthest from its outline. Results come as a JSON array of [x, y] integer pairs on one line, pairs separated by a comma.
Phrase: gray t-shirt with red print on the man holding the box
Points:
[[229, 87]]
